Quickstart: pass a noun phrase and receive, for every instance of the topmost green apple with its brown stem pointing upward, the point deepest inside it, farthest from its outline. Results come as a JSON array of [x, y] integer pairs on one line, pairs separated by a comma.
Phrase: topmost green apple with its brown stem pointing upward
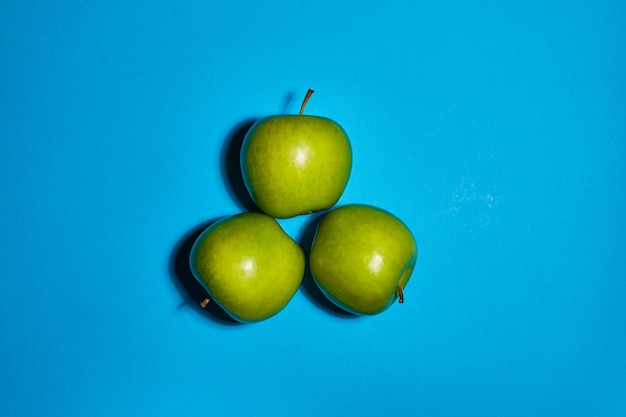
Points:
[[295, 164]]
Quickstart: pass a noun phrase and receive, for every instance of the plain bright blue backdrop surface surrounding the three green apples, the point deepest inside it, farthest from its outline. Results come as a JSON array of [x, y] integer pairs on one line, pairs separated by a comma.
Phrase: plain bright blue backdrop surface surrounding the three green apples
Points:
[[496, 130]]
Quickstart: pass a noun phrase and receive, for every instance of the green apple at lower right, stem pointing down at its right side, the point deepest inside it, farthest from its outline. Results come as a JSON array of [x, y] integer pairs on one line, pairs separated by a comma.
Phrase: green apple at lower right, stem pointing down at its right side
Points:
[[362, 258]]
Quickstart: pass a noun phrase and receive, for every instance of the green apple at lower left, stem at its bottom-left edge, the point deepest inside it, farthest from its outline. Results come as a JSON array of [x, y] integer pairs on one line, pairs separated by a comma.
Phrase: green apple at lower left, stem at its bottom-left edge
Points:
[[248, 265]]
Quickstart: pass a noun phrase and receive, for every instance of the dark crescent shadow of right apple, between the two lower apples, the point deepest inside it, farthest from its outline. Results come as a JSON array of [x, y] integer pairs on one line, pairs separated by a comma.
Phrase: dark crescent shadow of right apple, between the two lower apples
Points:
[[309, 287]]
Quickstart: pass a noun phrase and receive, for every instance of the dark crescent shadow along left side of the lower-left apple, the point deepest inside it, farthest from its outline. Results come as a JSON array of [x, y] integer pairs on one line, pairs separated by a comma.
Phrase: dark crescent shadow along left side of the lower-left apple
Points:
[[191, 290]]
